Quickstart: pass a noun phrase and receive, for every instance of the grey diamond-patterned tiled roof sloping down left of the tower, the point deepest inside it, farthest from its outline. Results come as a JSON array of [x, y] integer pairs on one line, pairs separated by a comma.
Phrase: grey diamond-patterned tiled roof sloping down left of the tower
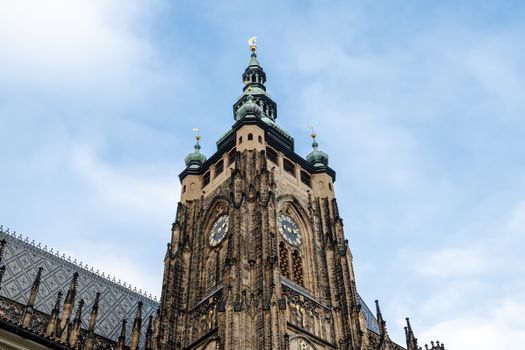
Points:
[[117, 302]]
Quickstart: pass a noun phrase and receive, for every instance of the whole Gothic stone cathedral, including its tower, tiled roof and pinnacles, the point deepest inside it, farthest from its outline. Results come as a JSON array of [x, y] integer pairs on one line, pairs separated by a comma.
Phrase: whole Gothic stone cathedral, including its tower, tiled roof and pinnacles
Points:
[[257, 260]]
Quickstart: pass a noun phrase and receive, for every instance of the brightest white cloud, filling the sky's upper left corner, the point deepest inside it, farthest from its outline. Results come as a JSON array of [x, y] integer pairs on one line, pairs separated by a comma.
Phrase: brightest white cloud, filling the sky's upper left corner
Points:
[[72, 48]]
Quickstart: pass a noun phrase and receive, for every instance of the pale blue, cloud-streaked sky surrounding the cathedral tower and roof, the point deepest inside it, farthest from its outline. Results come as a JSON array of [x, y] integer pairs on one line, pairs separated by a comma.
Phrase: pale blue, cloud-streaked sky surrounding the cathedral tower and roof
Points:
[[420, 106]]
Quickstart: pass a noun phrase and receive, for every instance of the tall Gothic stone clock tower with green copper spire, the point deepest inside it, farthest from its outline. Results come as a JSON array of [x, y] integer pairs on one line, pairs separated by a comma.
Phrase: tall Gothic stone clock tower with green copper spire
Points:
[[257, 257]]
